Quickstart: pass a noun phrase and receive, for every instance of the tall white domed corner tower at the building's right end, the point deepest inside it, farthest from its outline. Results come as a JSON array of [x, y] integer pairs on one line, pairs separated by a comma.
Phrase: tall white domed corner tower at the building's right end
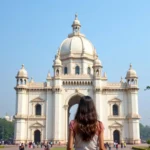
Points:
[[132, 103]]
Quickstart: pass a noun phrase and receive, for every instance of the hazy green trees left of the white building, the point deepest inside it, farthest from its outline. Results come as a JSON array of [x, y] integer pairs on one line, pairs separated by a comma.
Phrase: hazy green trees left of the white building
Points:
[[6, 129]]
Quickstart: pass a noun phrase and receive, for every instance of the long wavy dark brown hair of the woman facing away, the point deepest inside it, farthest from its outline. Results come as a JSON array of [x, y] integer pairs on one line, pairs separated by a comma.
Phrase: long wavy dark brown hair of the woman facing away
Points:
[[86, 118]]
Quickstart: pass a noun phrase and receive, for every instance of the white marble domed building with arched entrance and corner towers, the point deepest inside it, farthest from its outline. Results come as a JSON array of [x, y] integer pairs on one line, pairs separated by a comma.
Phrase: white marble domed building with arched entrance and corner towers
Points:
[[42, 109]]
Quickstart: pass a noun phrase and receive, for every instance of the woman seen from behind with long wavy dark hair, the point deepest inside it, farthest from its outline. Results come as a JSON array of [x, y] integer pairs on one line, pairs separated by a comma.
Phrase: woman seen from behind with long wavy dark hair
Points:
[[85, 131]]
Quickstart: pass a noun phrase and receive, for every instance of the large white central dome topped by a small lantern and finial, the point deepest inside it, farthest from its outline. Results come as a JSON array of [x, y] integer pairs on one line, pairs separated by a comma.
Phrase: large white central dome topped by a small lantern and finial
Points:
[[76, 44]]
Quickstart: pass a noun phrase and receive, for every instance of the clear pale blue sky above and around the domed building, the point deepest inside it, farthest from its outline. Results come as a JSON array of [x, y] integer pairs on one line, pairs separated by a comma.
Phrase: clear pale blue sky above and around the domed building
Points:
[[32, 31]]
